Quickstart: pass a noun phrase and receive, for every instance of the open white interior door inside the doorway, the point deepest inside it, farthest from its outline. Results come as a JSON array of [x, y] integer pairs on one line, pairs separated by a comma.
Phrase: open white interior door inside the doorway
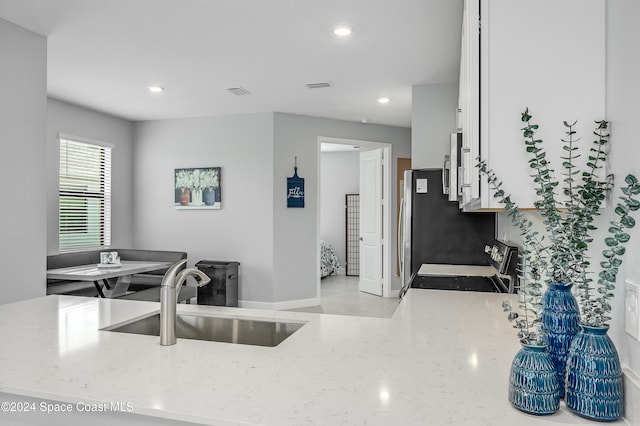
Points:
[[371, 234]]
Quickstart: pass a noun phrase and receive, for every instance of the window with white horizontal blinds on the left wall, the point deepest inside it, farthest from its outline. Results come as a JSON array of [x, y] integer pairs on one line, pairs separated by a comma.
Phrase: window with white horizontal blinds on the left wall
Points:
[[84, 195]]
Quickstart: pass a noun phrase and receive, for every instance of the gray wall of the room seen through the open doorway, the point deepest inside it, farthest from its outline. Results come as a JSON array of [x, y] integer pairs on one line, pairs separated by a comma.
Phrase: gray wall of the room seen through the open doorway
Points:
[[339, 175]]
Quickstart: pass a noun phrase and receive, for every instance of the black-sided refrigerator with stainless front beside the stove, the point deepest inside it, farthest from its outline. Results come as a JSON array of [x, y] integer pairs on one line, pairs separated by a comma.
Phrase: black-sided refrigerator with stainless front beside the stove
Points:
[[432, 229]]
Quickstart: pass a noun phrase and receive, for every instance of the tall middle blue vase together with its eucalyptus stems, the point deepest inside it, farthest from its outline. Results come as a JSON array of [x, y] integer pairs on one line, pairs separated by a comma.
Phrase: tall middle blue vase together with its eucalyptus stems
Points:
[[552, 264]]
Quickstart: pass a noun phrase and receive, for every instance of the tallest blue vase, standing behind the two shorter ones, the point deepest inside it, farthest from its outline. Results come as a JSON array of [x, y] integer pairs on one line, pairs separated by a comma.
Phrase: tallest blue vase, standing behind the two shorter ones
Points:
[[560, 323]]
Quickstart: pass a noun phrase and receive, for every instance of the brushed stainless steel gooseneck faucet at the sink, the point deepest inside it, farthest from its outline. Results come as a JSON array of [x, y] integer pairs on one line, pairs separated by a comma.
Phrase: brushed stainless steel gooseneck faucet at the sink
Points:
[[171, 284]]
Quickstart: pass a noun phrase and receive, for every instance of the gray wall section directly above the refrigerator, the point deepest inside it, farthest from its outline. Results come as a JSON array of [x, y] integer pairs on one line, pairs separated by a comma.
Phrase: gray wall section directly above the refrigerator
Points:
[[433, 118]]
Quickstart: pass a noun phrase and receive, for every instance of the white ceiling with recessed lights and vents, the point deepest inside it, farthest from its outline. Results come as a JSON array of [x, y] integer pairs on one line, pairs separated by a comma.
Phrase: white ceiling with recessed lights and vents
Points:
[[103, 54]]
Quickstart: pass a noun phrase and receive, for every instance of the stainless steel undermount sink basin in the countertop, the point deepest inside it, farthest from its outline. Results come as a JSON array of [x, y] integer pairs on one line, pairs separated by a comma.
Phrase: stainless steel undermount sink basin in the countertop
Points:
[[215, 329]]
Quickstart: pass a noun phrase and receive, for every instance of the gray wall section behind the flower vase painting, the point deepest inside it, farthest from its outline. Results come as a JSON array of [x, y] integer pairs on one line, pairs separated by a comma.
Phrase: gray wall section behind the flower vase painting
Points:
[[242, 230]]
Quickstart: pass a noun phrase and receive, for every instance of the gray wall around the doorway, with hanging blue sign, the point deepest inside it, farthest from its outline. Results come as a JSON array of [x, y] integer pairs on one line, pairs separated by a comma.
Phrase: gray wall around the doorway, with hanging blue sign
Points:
[[295, 230]]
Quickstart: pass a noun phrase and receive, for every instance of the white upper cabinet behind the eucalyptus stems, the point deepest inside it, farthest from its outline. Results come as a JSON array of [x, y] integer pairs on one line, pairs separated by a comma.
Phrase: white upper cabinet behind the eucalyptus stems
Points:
[[545, 55]]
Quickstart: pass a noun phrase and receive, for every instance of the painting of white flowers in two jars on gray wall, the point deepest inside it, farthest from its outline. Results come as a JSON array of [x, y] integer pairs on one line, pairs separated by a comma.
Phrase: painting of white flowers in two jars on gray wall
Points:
[[197, 188]]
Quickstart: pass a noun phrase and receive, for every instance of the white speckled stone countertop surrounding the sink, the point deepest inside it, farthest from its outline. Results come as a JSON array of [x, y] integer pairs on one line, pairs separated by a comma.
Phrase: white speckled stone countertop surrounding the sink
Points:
[[442, 359]]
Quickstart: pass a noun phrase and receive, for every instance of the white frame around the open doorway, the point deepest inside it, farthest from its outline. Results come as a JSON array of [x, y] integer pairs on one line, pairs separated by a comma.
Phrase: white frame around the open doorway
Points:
[[388, 239]]
